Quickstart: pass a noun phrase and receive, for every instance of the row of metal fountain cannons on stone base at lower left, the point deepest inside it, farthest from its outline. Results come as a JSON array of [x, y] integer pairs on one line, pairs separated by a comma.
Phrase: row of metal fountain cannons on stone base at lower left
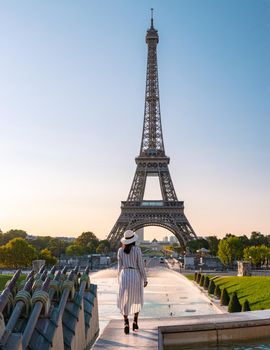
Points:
[[51, 311]]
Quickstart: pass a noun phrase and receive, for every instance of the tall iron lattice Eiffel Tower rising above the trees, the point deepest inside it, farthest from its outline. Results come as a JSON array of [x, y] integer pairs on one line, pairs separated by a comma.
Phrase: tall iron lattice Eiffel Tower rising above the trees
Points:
[[152, 161]]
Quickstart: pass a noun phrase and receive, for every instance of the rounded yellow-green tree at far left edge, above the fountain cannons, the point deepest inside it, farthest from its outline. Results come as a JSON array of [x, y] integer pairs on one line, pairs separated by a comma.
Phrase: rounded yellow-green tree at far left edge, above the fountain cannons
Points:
[[17, 253]]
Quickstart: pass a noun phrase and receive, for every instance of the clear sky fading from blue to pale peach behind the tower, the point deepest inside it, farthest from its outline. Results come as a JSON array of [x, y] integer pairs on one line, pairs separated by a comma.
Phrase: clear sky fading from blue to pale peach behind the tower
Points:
[[72, 81]]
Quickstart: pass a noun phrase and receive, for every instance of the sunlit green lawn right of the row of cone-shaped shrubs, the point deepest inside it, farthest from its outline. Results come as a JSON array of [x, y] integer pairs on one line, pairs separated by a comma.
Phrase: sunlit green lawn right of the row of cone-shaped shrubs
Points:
[[256, 289]]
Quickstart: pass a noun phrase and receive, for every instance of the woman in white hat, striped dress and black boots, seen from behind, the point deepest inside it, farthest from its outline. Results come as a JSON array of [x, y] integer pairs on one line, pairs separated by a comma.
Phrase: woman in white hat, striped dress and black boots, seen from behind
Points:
[[132, 279]]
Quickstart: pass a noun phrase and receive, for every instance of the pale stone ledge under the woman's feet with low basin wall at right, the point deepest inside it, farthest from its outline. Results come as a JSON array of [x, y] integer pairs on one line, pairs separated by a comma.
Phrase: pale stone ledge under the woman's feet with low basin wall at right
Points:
[[248, 327]]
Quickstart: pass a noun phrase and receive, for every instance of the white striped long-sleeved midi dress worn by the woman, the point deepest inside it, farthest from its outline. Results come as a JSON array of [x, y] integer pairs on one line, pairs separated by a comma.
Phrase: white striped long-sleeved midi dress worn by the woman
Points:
[[130, 297]]
